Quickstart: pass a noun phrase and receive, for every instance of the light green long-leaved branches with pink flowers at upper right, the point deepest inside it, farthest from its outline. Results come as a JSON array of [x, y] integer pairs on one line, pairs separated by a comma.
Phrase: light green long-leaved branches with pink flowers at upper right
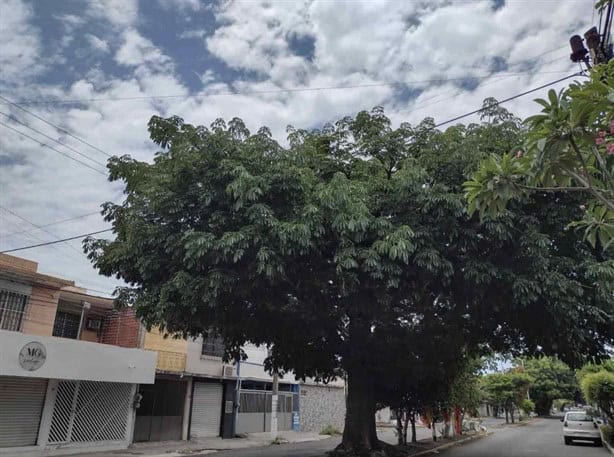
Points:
[[568, 148]]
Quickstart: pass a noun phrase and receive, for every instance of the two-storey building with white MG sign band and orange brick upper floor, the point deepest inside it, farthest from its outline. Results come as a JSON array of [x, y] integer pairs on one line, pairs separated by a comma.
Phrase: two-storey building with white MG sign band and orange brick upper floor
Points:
[[70, 366]]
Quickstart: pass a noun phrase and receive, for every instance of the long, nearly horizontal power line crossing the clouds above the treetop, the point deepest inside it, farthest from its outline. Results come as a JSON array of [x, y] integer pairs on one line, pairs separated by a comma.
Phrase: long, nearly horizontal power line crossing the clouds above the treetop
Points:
[[268, 91]]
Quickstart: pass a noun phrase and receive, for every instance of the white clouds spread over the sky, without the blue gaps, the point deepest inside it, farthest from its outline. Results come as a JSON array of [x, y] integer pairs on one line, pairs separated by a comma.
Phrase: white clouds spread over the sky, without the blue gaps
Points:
[[357, 43]]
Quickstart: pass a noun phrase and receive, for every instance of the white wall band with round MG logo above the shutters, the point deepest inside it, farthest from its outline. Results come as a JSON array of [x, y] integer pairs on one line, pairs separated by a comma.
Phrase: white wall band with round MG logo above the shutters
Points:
[[80, 360]]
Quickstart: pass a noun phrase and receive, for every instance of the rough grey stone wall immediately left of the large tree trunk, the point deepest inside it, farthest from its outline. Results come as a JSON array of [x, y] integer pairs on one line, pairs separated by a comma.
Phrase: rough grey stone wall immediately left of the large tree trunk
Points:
[[321, 405]]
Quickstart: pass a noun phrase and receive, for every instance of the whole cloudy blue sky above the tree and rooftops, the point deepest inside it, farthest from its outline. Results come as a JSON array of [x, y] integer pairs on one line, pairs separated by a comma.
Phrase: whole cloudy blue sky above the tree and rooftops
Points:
[[85, 75]]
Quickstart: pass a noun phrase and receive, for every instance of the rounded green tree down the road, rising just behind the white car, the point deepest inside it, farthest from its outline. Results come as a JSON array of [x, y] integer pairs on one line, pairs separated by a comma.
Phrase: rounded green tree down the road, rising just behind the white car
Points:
[[552, 379]]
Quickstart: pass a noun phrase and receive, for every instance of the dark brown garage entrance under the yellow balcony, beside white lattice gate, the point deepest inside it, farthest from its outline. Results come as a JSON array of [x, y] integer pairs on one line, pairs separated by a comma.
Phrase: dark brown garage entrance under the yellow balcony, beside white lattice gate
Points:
[[160, 416]]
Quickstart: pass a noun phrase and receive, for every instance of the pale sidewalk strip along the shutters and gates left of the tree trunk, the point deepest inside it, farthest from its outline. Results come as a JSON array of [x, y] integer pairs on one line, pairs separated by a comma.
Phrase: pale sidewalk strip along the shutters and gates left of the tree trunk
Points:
[[204, 445]]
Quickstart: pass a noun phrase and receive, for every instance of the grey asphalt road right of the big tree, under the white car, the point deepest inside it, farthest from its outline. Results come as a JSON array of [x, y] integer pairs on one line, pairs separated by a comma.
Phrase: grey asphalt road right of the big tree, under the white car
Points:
[[542, 438]]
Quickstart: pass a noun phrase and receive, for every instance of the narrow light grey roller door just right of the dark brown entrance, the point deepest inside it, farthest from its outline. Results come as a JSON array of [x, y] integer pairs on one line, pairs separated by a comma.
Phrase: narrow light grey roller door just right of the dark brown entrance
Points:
[[206, 410]]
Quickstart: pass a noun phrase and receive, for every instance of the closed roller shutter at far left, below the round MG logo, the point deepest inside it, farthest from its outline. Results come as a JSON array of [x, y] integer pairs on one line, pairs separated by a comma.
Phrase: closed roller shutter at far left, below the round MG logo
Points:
[[21, 406]]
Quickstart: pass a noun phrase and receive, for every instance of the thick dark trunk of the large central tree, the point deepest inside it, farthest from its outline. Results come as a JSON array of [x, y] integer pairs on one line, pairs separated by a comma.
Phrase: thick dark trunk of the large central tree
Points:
[[359, 433]]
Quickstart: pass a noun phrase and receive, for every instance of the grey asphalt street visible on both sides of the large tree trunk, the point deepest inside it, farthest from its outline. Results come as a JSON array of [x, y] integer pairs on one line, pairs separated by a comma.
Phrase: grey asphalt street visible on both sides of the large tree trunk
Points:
[[541, 438]]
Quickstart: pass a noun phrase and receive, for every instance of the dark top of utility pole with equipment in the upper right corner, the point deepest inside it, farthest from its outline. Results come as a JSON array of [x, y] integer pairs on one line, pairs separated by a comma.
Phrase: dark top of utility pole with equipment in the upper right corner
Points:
[[598, 41]]
